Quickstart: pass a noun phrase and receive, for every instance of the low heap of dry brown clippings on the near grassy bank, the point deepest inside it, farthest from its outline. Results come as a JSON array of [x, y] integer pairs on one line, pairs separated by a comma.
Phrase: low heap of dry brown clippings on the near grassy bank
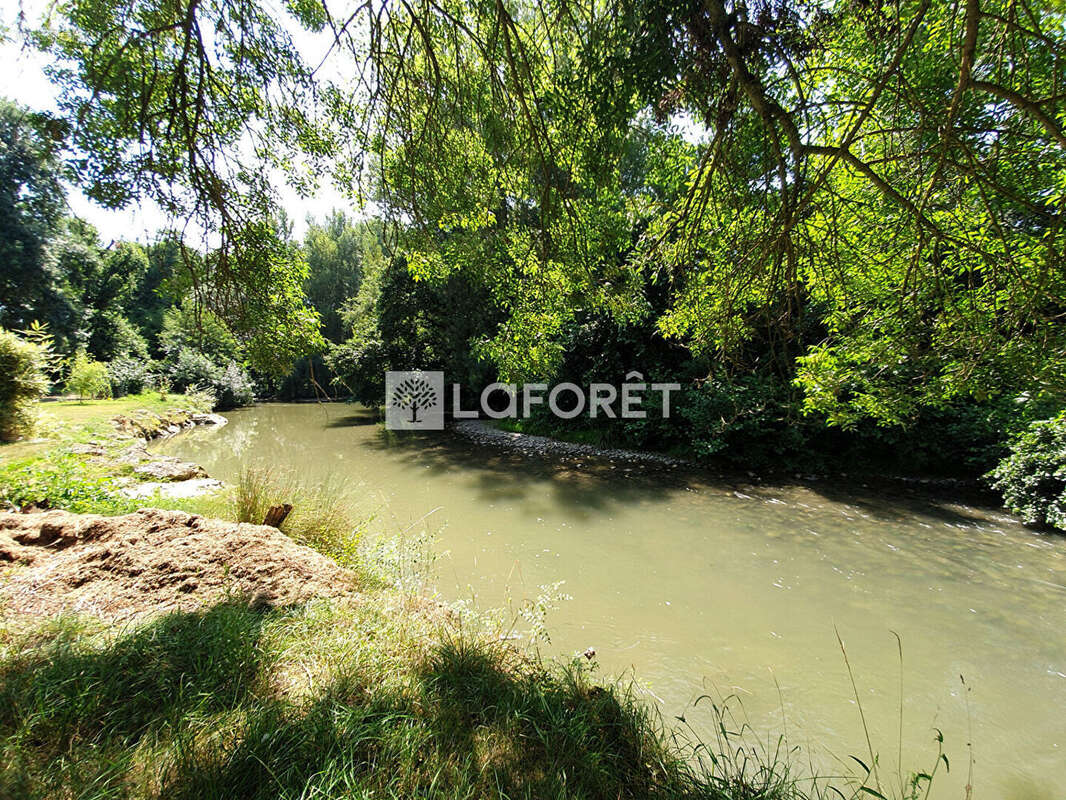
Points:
[[153, 562]]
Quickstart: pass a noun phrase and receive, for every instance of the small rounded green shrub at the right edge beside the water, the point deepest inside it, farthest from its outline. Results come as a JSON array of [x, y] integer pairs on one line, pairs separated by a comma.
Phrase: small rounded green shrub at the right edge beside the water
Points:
[[1032, 479]]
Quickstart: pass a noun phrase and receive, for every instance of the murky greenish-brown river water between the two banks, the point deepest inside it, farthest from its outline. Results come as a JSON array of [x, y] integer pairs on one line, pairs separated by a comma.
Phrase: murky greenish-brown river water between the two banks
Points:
[[693, 586]]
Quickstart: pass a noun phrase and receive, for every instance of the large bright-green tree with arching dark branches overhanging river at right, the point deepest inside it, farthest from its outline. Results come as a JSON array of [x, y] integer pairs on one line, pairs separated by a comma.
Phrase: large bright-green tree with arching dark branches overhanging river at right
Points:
[[893, 170]]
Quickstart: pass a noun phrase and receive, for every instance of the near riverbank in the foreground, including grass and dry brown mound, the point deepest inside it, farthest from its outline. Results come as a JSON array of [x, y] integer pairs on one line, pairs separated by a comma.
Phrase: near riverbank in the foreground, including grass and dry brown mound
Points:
[[368, 687]]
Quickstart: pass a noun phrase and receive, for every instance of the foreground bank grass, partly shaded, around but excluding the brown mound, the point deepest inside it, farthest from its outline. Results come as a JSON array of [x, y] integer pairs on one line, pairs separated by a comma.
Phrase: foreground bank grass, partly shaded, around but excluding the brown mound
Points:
[[382, 693]]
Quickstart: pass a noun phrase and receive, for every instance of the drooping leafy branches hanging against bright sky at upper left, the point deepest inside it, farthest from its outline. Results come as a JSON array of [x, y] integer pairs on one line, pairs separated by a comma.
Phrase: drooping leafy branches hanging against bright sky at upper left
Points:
[[202, 143]]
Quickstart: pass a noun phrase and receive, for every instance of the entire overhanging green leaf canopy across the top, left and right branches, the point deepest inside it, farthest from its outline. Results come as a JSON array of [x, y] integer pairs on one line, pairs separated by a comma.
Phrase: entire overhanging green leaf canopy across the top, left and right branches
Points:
[[864, 198]]
